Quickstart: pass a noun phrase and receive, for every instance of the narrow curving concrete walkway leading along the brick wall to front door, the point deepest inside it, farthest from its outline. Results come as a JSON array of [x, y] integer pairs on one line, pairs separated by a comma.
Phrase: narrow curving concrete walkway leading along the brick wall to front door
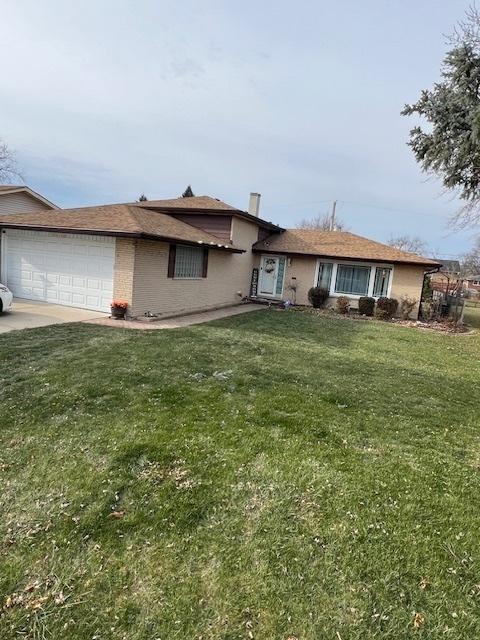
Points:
[[180, 321]]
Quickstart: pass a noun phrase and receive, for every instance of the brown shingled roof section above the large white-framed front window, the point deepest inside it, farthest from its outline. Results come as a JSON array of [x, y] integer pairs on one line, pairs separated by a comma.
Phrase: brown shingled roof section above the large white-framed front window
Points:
[[337, 244]]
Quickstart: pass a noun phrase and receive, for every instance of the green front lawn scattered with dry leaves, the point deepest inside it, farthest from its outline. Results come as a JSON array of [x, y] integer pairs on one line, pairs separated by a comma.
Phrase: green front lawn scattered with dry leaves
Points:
[[324, 485]]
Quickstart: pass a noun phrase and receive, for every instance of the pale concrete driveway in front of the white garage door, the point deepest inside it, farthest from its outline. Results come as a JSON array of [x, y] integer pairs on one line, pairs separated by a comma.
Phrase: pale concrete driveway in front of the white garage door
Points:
[[27, 314]]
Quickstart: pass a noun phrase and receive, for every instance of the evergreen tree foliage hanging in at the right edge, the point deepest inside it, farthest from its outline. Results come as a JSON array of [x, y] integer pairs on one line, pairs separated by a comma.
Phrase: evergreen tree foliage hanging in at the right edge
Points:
[[450, 147]]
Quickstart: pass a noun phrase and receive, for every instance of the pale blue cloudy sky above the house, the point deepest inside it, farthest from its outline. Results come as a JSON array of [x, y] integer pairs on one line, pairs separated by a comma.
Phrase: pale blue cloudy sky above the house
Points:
[[104, 100]]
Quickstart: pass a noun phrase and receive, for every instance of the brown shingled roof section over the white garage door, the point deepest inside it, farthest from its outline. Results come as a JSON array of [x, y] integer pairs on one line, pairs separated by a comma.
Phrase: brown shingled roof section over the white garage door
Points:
[[116, 220]]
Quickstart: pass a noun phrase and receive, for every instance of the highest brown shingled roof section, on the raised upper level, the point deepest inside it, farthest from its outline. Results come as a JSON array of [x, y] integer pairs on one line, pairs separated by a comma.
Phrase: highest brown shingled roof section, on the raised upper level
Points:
[[202, 205]]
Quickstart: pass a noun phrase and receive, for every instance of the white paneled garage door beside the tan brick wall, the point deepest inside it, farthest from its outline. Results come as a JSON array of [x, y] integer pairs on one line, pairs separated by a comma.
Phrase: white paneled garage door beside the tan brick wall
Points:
[[70, 269]]
